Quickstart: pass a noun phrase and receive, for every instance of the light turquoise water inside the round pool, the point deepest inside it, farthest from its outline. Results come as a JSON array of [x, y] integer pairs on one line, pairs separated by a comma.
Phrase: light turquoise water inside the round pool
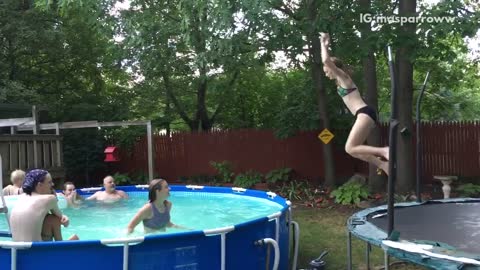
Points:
[[193, 210]]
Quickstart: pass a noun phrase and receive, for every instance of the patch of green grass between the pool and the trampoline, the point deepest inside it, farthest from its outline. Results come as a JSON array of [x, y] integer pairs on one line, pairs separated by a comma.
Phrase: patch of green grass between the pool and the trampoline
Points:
[[325, 229]]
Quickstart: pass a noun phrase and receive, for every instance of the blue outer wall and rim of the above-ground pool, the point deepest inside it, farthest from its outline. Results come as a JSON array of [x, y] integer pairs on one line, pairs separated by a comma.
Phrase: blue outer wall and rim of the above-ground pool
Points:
[[185, 250]]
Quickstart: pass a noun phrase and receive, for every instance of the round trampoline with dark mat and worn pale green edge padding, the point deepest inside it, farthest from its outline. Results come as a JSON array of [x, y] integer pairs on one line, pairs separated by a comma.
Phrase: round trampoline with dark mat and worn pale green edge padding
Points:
[[438, 234]]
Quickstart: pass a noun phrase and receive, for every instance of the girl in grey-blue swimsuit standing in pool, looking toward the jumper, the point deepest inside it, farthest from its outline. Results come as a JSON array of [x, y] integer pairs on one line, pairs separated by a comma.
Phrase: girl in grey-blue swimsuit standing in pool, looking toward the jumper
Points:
[[156, 213]]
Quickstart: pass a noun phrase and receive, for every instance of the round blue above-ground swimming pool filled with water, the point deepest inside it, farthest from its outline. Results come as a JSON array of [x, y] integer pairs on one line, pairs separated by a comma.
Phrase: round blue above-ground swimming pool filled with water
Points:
[[250, 232]]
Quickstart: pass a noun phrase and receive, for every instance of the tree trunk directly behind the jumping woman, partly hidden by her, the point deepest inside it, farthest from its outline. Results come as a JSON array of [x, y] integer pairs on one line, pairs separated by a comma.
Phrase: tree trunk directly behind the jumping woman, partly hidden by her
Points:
[[376, 182]]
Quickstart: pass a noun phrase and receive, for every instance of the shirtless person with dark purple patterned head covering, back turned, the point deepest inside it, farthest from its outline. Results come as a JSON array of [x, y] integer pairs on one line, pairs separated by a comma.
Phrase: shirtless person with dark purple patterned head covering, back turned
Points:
[[29, 213]]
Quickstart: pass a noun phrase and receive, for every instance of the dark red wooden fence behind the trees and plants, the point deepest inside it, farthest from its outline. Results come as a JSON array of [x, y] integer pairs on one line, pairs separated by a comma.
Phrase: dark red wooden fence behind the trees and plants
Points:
[[448, 148]]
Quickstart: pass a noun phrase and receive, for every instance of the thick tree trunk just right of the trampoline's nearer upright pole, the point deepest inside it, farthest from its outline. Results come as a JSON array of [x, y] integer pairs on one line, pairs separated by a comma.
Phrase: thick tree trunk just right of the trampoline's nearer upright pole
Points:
[[405, 157]]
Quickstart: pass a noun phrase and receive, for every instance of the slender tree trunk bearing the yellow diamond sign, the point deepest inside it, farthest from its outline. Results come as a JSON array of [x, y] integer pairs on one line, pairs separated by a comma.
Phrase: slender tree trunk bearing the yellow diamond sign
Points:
[[317, 73]]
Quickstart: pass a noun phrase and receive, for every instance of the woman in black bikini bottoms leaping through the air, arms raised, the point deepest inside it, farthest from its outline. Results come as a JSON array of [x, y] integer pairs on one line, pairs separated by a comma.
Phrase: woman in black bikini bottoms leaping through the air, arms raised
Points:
[[366, 116]]
